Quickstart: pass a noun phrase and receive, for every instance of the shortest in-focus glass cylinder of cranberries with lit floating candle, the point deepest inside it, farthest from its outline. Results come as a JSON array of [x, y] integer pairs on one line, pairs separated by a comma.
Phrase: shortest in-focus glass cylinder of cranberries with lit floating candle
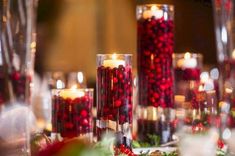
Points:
[[72, 113]]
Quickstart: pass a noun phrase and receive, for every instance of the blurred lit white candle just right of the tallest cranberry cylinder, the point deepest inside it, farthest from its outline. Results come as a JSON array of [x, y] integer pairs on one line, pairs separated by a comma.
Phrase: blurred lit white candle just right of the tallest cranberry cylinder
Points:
[[187, 62]]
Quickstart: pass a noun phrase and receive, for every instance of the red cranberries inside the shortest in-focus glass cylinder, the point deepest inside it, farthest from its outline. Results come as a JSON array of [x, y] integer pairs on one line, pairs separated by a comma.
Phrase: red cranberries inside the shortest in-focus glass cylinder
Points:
[[72, 117]]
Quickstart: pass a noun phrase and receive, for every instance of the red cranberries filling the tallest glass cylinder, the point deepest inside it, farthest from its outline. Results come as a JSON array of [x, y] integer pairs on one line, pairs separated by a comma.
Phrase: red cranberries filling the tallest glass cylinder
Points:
[[155, 49]]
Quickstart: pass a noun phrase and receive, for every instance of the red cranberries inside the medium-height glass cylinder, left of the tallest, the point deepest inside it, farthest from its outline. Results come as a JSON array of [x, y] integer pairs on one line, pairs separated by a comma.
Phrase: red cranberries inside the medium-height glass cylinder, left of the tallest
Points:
[[114, 99]]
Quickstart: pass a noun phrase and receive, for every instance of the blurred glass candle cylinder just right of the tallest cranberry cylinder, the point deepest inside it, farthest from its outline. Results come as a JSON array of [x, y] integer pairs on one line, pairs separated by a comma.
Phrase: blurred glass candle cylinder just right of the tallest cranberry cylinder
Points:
[[187, 71]]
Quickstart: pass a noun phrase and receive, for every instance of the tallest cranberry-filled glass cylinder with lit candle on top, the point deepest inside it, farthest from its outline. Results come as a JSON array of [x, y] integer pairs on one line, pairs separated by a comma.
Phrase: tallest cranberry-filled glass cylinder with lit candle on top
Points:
[[155, 78]]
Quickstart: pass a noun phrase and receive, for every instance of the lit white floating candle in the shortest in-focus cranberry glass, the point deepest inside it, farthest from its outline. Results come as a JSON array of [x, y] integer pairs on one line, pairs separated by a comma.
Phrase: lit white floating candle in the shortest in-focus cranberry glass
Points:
[[71, 93]]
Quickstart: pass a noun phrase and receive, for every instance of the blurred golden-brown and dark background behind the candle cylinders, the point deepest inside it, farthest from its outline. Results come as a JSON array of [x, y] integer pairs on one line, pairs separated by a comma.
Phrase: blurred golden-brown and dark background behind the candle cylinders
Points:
[[111, 26]]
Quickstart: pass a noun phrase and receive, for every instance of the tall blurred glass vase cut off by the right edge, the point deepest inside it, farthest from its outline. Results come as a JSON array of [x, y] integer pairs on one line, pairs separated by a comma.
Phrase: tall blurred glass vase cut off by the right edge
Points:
[[225, 31]]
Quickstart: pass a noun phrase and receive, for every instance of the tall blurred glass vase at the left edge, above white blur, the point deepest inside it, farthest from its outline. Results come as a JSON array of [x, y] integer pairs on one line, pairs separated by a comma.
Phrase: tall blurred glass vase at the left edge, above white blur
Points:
[[18, 43]]
